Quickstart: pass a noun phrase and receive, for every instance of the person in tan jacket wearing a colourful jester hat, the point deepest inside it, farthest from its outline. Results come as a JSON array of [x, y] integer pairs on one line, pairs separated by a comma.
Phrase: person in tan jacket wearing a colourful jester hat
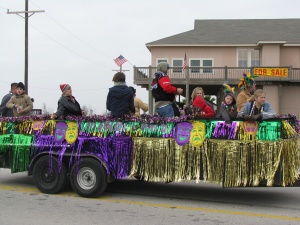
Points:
[[248, 86]]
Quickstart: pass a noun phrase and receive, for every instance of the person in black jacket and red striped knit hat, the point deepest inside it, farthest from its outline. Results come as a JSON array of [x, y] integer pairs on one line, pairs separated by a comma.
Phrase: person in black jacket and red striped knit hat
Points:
[[67, 104]]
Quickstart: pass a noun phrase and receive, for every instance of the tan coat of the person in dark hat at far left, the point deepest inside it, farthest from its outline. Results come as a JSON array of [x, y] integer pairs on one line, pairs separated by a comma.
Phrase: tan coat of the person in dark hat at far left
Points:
[[21, 100]]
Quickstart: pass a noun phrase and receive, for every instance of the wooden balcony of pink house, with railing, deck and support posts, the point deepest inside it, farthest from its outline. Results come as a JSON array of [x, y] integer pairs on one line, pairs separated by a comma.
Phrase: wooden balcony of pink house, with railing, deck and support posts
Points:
[[210, 79]]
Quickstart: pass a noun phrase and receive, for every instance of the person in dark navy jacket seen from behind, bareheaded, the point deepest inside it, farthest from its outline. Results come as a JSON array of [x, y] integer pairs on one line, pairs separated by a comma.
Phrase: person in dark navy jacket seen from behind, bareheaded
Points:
[[120, 98]]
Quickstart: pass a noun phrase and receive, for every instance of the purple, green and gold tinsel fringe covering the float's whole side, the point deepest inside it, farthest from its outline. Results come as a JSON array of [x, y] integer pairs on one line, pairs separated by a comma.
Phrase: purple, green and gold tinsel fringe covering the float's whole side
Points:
[[156, 156]]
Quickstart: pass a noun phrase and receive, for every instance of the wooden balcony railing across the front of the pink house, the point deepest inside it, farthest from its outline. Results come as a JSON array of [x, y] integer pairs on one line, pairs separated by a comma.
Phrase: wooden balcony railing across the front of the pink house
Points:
[[211, 74]]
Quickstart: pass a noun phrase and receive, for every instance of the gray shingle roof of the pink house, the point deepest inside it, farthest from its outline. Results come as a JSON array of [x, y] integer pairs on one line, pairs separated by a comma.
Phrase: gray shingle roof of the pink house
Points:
[[235, 32]]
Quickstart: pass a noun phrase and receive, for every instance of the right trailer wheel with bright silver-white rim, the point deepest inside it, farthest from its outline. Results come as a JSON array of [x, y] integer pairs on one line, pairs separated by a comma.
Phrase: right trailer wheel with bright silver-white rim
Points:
[[89, 178]]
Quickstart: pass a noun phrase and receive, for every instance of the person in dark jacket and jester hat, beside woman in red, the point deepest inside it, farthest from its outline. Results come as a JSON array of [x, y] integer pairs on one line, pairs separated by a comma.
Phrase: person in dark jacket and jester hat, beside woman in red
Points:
[[228, 109]]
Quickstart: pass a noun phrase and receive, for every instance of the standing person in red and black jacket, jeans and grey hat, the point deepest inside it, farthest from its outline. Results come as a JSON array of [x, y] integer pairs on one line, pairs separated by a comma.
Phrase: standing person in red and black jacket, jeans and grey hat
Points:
[[163, 92]]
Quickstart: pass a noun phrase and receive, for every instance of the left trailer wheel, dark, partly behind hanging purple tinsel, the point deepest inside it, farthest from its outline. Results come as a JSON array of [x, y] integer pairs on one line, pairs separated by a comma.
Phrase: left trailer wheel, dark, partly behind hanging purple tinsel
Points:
[[47, 177]]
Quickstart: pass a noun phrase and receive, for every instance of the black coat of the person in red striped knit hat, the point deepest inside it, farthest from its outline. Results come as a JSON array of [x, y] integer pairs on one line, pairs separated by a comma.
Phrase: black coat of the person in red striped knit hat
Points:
[[67, 107]]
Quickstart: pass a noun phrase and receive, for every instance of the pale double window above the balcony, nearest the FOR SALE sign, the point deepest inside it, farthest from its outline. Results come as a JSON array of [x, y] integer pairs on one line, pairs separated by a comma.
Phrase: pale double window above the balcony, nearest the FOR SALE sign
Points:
[[248, 57]]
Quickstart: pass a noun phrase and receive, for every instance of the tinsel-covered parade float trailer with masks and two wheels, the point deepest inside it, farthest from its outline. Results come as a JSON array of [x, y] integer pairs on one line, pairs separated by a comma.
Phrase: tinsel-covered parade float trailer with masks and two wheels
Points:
[[92, 151]]
